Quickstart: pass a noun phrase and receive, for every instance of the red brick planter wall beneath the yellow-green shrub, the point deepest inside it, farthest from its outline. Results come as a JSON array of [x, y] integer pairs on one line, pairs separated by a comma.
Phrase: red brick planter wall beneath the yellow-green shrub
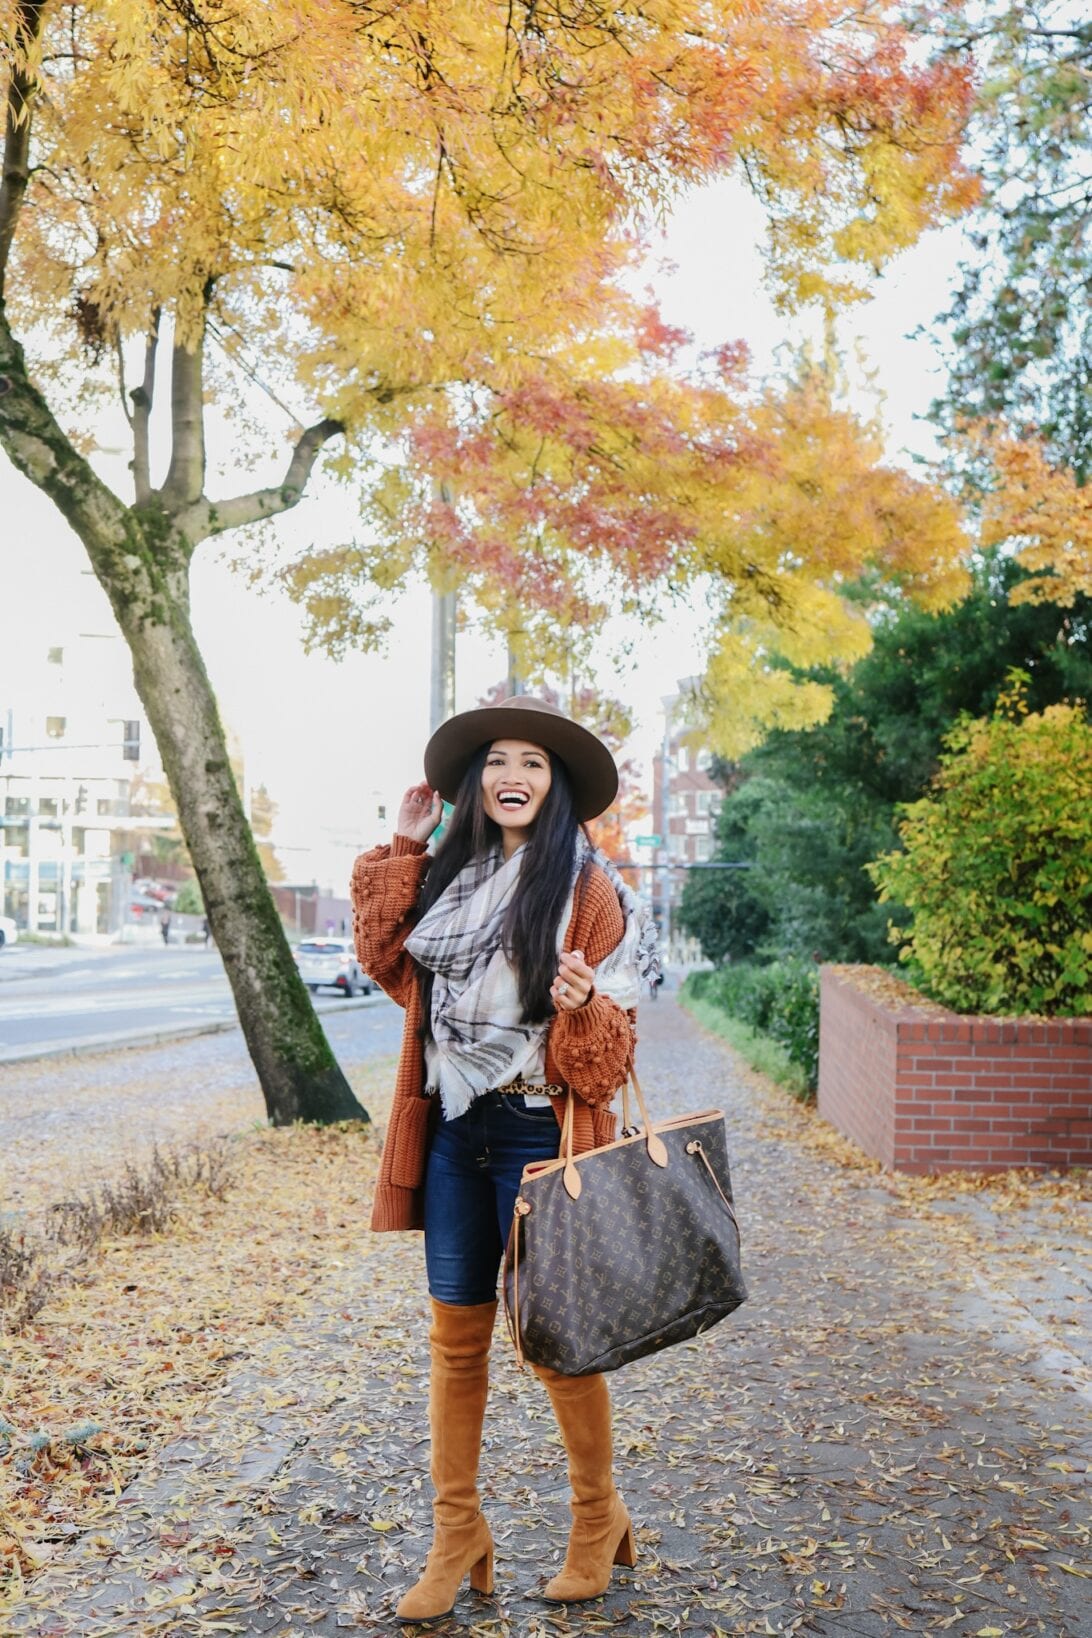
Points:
[[927, 1090]]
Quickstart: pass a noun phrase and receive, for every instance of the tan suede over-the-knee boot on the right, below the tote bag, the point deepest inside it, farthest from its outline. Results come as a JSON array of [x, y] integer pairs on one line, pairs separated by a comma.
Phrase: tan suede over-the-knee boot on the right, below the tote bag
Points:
[[602, 1534]]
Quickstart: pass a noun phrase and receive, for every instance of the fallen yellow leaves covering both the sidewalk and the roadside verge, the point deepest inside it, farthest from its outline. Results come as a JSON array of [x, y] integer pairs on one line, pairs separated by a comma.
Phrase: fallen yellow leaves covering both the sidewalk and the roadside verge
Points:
[[864, 1449]]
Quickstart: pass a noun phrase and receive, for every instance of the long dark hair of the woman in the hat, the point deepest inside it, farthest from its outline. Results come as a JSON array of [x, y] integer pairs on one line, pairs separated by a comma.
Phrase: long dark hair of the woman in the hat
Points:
[[530, 936]]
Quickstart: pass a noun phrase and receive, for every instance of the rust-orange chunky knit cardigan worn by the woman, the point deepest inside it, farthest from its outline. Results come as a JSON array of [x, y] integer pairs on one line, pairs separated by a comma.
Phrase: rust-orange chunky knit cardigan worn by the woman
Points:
[[587, 1051]]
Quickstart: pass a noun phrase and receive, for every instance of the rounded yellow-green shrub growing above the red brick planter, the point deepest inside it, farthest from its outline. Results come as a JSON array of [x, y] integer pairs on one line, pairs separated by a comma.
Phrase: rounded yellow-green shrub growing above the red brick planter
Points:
[[998, 866]]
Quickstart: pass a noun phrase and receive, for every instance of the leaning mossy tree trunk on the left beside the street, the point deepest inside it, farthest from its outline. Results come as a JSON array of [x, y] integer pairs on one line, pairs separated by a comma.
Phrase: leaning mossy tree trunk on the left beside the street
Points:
[[142, 558]]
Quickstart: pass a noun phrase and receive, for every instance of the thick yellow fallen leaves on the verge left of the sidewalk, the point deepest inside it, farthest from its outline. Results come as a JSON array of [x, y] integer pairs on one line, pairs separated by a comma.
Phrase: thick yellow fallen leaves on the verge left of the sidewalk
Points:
[[137, 1337]]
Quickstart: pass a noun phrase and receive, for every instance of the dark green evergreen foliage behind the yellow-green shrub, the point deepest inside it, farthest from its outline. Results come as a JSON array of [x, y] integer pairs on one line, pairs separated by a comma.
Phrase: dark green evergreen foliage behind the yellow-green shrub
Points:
[[813, 808]]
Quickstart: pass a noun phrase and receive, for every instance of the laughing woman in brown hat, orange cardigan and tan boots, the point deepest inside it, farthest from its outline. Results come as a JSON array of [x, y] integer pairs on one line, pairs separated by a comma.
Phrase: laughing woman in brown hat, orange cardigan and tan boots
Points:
[[517, 954]]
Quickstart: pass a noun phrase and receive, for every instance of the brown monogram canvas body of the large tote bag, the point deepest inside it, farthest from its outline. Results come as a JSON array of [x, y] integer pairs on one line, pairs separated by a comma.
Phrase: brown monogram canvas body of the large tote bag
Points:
[[643, 1259]]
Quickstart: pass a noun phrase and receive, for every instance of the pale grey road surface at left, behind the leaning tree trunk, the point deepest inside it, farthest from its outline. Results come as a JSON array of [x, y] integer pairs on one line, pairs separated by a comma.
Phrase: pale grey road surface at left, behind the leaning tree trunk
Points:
[[60, 1000]]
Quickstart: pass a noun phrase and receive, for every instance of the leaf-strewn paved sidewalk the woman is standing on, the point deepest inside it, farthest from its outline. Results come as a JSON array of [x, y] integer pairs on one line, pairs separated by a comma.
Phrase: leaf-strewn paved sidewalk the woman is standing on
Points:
[[885, 1439]]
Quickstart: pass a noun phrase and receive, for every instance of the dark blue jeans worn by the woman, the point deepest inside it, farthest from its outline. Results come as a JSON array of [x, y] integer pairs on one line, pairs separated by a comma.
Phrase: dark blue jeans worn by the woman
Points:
[[471, 1188]]
